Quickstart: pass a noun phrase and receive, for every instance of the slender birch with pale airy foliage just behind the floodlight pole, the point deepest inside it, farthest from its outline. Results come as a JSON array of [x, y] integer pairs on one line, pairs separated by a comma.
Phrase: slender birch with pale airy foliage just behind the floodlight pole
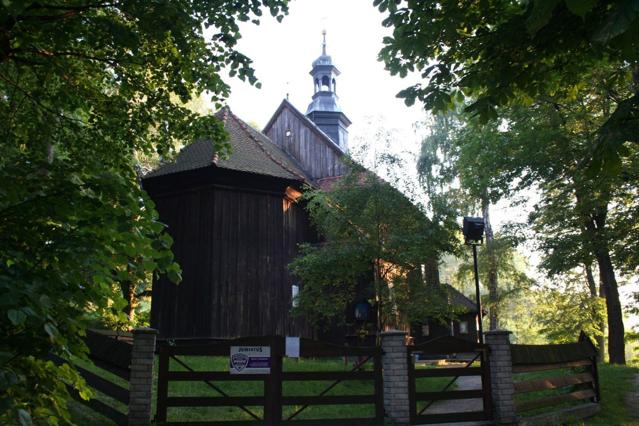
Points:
[[452, 167]]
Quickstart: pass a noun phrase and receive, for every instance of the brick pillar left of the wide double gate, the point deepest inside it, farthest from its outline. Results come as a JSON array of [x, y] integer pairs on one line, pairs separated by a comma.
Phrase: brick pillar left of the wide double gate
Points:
[[141, 379]]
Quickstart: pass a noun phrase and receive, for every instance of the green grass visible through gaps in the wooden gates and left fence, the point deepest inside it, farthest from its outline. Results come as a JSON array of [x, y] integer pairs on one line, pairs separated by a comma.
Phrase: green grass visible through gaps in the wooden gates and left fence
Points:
[[83, 415]]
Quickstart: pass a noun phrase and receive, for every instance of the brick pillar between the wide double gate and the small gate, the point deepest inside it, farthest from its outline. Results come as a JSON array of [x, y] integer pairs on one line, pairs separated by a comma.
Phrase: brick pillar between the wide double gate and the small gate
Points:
[[395, 372]]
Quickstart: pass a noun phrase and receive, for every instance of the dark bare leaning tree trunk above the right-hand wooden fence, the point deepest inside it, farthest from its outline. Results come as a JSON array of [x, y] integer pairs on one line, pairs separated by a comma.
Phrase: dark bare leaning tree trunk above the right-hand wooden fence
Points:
[[616, 344]]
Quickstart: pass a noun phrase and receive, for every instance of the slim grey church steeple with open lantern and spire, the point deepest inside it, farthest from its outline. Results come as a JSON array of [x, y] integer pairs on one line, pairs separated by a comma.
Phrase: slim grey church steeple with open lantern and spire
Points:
[[324, 109]]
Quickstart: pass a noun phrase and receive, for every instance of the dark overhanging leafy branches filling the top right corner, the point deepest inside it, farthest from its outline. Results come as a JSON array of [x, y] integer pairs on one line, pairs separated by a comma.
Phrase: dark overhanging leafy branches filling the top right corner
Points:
[[496, 53]]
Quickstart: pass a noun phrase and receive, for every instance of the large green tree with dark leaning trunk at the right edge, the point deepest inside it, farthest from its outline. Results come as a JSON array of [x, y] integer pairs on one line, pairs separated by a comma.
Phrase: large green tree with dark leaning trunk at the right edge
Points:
[[543, 145]]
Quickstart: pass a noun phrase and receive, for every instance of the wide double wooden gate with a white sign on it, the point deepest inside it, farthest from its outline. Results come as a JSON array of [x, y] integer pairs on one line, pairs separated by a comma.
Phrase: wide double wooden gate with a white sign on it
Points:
[[269, 403]]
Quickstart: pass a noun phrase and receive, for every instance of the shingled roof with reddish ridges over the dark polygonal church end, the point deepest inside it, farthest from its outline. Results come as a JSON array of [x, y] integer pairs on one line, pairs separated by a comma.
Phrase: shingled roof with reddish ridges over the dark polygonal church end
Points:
[[251, 151]]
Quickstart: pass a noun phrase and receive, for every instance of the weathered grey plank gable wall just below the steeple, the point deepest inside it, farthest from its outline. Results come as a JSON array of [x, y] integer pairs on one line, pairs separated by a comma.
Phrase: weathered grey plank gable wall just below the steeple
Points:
[[314, 154]]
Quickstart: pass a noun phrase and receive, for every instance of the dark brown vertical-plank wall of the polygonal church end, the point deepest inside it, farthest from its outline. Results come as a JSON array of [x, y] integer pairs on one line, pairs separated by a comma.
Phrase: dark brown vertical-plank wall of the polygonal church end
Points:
[[234, 246]]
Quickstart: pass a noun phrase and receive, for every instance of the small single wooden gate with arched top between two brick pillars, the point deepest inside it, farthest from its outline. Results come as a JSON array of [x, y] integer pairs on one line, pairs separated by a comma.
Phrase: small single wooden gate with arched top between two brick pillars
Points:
[[449, 369]]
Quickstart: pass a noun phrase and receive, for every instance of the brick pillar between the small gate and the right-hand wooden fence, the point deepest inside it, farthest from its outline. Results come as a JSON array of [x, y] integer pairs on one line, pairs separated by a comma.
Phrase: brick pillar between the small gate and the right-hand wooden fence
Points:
[[501, 377]]
